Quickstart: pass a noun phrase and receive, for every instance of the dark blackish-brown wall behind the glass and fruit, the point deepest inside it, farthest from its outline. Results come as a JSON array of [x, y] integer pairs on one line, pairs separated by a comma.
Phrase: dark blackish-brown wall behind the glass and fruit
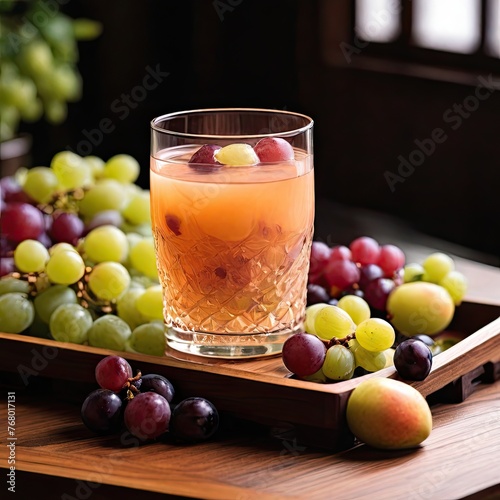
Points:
[[271, 54]]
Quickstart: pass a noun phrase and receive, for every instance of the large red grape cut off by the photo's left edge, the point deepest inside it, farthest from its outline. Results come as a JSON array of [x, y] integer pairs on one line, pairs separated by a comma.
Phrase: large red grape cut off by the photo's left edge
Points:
[[21, 221]]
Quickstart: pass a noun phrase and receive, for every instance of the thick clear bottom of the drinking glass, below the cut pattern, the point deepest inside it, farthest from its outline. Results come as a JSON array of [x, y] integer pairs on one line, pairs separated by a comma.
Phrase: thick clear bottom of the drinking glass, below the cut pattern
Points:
[[228, 346]]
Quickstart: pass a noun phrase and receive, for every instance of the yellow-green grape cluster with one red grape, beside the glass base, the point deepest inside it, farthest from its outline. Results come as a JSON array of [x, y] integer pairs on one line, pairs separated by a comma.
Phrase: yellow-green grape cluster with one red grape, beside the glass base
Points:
[[338, 340]]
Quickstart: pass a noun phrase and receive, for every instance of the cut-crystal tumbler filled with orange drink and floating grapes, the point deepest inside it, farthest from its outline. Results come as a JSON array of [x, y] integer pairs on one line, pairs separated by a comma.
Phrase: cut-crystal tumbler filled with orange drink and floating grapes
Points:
[[232, 241]]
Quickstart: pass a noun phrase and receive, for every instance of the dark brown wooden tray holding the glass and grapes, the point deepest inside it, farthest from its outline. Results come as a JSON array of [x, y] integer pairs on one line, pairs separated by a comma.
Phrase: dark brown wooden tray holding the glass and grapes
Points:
[[261, 390]]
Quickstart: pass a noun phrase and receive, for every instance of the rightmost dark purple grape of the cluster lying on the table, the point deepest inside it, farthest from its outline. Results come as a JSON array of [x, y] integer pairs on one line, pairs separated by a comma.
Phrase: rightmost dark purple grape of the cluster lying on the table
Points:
[[194, 419]]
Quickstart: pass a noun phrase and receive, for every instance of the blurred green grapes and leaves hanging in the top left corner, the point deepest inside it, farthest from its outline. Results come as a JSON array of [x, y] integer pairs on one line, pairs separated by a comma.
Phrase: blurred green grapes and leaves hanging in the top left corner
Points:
[[38, 69]]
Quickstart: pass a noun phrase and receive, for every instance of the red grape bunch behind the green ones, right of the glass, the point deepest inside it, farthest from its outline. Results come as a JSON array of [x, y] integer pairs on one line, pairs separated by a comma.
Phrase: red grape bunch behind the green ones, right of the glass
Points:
[[363, 268]]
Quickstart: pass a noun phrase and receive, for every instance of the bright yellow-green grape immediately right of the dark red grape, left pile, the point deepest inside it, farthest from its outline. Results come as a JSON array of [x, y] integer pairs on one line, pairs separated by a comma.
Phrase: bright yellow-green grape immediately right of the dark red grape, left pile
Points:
[[106, 243]]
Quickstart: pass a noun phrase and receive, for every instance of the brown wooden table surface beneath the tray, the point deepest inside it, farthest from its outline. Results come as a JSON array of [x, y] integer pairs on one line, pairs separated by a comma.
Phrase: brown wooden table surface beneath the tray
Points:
[[56, 457]]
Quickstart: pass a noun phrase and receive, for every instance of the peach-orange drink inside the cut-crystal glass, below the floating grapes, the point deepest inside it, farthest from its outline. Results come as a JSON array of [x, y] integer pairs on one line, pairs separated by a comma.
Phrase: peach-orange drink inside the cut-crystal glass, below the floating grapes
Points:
[[232, 244]]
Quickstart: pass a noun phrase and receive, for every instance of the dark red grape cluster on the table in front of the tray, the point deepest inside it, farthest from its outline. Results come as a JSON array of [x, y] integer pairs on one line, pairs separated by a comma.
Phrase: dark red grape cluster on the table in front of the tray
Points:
[[144, 405]]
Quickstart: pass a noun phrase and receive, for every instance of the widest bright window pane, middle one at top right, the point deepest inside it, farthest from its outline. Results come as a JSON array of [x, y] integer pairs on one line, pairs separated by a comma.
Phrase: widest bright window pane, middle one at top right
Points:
[[451, 25]]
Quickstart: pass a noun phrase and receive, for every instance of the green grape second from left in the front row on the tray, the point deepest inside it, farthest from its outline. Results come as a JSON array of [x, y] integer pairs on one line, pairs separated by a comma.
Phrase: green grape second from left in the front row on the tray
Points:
[[70, 323]]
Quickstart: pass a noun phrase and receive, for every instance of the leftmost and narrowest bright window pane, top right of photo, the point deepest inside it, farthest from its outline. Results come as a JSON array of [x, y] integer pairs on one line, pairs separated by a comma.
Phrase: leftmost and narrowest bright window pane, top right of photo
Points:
[[377, 20]]
